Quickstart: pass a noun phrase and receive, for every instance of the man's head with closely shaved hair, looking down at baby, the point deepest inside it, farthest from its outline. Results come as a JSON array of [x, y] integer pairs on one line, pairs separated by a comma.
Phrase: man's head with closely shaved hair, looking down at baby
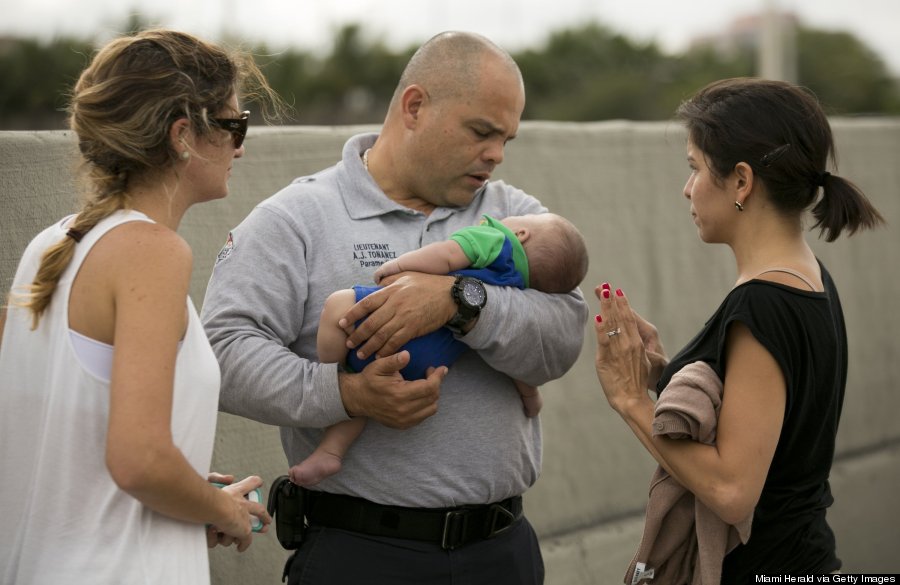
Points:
[[459, 101]]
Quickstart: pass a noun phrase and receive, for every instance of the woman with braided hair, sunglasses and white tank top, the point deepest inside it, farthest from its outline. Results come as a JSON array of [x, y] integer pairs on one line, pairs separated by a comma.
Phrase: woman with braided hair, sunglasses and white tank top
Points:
[[108, 386]]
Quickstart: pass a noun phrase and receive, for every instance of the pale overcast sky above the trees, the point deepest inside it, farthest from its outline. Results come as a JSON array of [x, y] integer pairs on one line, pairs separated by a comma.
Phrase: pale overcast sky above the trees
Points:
[[514, 24]]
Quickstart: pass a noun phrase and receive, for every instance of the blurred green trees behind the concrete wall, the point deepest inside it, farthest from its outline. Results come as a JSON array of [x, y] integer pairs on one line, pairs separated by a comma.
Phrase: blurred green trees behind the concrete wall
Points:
[[580, 74]]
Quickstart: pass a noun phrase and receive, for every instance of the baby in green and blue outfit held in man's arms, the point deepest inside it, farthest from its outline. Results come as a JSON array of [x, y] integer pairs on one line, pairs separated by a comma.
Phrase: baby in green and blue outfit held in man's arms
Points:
[[540, 251]]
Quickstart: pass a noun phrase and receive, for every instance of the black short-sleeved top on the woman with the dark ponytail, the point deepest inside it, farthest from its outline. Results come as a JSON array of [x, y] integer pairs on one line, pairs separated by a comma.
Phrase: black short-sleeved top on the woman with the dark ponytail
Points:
[[804, 331]]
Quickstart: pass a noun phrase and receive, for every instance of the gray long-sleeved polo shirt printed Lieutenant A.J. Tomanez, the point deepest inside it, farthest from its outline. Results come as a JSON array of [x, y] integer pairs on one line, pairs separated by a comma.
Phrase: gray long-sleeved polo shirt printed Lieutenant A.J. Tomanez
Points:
[[329, 231]]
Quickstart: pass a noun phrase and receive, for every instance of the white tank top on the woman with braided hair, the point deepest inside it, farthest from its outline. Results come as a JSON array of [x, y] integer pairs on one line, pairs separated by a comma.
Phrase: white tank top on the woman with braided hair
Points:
[[64, 520]]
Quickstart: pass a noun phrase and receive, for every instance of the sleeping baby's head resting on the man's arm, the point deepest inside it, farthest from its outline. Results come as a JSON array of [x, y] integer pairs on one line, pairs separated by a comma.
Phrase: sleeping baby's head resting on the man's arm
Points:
[[557, 255]]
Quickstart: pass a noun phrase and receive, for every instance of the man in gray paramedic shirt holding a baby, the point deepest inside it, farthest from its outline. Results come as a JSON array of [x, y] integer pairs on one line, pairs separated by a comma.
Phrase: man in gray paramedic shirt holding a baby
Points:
[[431, 491]]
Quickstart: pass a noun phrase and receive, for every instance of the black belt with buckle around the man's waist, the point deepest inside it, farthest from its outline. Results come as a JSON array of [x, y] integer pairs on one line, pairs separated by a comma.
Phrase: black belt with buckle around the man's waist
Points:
[[450, 528]]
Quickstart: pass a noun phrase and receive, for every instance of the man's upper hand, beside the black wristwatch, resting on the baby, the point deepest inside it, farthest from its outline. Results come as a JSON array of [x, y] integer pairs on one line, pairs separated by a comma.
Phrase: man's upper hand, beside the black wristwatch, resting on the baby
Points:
[[410, 305]]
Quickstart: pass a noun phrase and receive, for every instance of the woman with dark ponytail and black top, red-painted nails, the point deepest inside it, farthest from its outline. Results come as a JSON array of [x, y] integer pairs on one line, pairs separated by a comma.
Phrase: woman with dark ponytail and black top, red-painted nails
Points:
[[758, 153]]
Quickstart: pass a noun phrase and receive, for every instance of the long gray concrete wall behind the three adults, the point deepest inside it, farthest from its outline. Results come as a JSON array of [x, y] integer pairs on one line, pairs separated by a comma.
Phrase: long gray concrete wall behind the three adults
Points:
[[620, 182]]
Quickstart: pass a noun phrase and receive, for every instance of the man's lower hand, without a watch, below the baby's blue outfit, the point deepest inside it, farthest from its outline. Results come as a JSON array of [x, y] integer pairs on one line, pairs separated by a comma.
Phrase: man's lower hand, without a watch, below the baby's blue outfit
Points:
[[381, 393]]
